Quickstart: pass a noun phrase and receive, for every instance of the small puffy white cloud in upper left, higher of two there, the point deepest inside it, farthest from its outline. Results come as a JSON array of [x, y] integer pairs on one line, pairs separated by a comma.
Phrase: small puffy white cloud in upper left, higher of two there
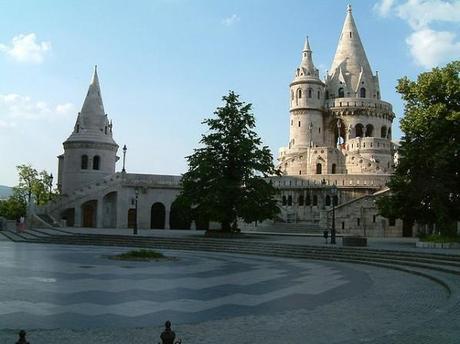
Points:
[[25, 48]]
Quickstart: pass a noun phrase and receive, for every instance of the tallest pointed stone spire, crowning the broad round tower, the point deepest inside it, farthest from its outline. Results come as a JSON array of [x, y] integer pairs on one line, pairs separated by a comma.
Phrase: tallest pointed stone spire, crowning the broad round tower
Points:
[[350, 55]]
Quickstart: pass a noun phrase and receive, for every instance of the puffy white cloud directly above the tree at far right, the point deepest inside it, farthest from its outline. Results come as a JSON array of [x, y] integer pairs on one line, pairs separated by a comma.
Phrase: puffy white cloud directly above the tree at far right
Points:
[[430, 48]]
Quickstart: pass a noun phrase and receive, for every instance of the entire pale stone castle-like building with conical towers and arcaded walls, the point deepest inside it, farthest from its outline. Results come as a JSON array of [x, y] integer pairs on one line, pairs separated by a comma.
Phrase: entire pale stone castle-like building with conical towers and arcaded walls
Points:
[[339, 157]]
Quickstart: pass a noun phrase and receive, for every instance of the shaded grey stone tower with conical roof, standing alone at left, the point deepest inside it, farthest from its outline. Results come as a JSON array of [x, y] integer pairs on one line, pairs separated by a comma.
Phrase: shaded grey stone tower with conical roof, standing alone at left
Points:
[[90, 151]]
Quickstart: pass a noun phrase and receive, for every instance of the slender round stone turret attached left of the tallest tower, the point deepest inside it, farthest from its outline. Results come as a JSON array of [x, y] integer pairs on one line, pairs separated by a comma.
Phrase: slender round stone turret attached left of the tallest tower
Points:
[[306, 102]]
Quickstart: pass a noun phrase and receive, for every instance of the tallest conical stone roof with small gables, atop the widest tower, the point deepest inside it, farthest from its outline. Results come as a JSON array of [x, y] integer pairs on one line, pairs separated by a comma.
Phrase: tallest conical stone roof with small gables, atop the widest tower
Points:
[[350, 60]]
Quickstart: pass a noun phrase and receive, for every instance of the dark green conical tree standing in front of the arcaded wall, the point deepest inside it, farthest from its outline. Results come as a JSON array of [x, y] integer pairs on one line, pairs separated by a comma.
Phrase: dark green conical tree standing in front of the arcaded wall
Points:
[[225, 177]]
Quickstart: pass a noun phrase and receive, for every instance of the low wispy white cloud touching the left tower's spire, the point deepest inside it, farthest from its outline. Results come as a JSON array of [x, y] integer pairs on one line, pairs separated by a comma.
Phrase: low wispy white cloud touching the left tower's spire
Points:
[[15, 109]]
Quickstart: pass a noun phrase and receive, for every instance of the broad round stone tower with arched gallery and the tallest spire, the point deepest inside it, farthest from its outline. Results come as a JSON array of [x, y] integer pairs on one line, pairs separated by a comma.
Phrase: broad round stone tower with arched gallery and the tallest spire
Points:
[[360, 120]]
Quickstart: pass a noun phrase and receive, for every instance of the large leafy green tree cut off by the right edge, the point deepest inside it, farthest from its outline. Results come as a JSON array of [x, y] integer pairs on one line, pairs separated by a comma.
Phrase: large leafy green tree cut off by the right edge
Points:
[[426, 184]]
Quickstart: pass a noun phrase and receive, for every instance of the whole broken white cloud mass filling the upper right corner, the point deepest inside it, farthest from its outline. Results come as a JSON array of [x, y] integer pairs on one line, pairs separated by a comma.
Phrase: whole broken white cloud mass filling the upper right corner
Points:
[[428, 47]]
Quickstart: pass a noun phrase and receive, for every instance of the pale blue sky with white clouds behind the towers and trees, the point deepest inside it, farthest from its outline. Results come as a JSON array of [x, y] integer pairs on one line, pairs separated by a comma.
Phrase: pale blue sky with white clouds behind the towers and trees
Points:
[[164, 66]]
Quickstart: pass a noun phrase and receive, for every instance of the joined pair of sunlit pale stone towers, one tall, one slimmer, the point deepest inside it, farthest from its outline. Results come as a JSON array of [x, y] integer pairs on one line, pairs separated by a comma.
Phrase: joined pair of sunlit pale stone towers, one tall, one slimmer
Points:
[[339, 126]]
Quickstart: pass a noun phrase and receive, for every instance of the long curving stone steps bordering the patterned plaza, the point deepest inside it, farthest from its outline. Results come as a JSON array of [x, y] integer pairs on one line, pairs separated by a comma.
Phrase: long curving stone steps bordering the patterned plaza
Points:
[[428, 265]]
